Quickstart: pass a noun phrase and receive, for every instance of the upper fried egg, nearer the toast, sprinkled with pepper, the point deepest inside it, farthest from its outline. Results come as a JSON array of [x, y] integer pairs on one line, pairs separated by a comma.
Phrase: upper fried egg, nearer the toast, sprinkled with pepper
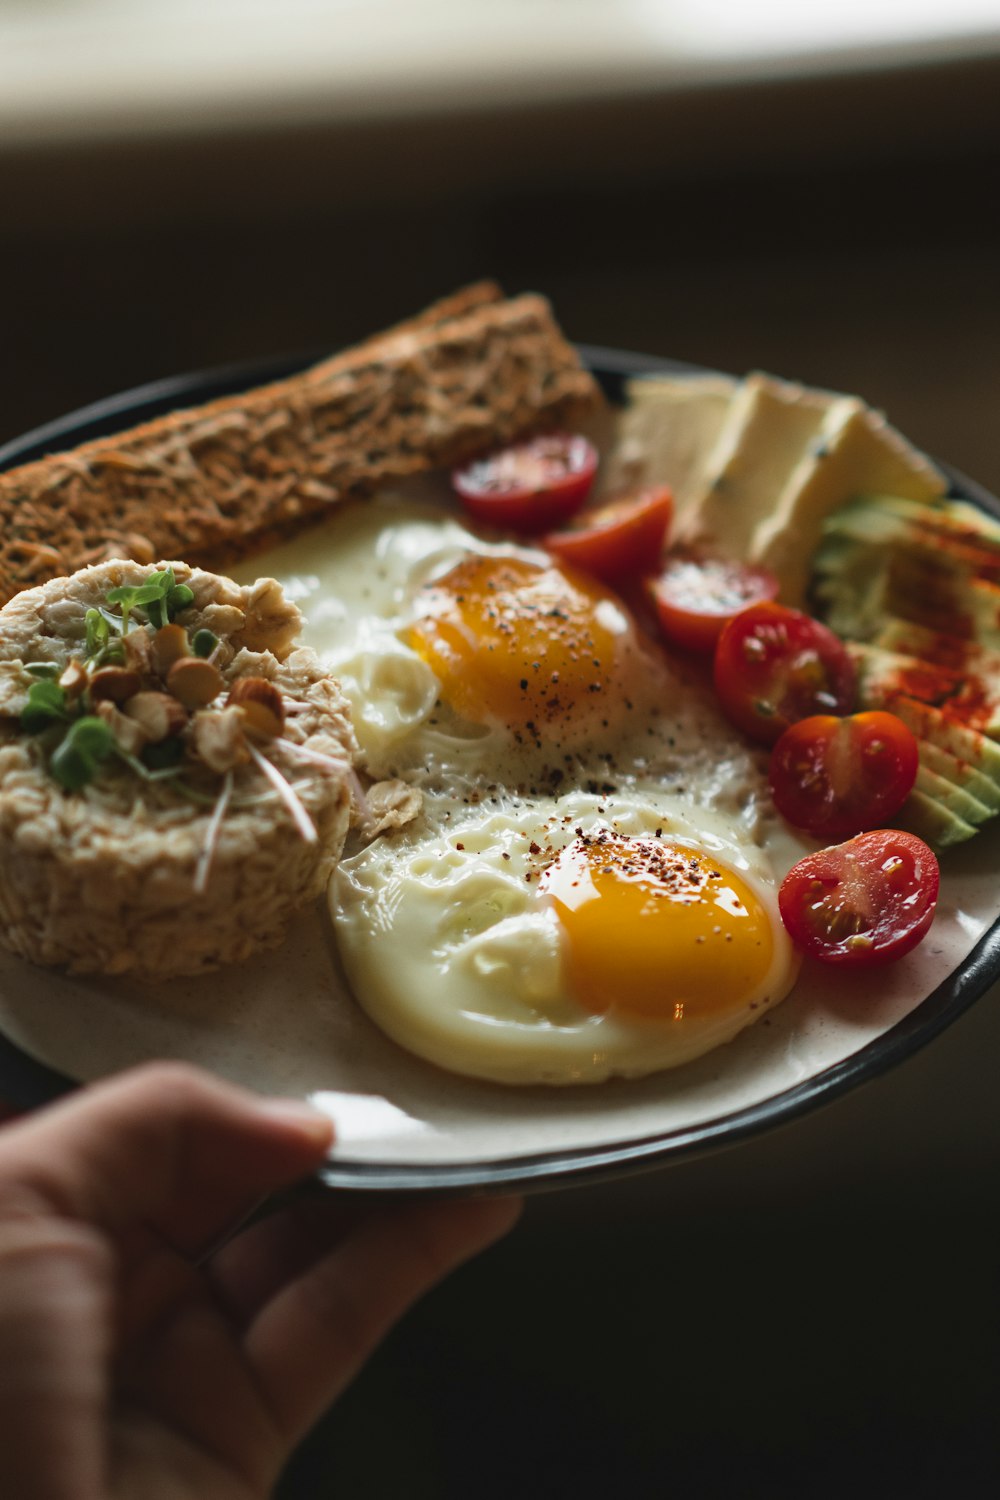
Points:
[[473, 664]]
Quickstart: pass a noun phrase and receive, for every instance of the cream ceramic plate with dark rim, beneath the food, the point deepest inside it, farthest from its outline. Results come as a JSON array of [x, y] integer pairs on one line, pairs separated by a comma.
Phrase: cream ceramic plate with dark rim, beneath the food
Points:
[[284, 1024]]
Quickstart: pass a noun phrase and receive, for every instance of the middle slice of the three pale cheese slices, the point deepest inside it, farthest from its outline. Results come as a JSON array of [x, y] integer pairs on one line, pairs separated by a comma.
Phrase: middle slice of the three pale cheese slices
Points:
[[768, 431]]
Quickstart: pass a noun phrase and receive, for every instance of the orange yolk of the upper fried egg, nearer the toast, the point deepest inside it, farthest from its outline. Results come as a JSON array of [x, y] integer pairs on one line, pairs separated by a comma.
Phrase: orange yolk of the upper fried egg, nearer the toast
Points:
[[521, 644]]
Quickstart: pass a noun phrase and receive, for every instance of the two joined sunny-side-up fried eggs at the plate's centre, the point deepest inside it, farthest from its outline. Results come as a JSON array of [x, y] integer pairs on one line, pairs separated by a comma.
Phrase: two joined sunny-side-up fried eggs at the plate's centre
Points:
[[587, 892]]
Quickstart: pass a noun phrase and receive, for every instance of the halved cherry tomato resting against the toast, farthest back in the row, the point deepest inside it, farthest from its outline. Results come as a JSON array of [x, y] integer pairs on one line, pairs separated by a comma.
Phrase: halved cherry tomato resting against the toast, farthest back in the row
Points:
[[530, 487]]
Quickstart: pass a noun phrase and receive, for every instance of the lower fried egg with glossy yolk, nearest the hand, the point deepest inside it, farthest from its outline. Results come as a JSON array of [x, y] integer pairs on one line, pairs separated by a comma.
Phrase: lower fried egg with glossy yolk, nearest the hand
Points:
[[560, 943]]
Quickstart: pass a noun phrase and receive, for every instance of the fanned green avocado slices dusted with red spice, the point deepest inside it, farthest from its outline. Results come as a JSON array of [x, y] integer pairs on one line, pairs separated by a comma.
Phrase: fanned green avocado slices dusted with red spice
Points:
[[914, 587]]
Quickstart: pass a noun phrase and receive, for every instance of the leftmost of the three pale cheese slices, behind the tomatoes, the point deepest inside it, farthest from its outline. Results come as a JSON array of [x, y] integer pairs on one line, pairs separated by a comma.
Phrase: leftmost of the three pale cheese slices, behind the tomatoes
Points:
[[666, 434]]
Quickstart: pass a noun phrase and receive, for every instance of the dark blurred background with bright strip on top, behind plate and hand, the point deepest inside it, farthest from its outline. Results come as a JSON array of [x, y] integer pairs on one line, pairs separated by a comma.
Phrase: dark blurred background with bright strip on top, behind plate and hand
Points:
[[804, 188]]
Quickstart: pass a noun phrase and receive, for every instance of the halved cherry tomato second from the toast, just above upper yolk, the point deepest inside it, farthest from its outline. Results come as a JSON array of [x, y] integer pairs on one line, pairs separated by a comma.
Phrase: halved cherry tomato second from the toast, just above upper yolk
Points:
[[620, 541]]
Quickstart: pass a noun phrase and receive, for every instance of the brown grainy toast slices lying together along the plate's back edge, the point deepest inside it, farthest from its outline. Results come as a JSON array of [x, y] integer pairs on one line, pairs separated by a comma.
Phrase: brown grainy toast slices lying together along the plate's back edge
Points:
[[217, 482]]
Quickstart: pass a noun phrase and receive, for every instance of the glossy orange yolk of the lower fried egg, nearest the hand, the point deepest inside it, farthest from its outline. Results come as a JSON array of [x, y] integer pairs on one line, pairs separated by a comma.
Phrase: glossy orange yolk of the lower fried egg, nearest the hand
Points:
[[657, 929]]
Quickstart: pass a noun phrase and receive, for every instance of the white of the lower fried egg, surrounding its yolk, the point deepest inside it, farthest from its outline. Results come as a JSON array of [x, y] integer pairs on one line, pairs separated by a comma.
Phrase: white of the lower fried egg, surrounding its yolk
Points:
[[454, 953]]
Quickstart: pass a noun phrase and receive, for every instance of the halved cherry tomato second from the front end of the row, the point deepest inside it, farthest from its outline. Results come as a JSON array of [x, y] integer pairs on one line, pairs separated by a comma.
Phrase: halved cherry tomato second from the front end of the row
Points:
[[839, 776]]
